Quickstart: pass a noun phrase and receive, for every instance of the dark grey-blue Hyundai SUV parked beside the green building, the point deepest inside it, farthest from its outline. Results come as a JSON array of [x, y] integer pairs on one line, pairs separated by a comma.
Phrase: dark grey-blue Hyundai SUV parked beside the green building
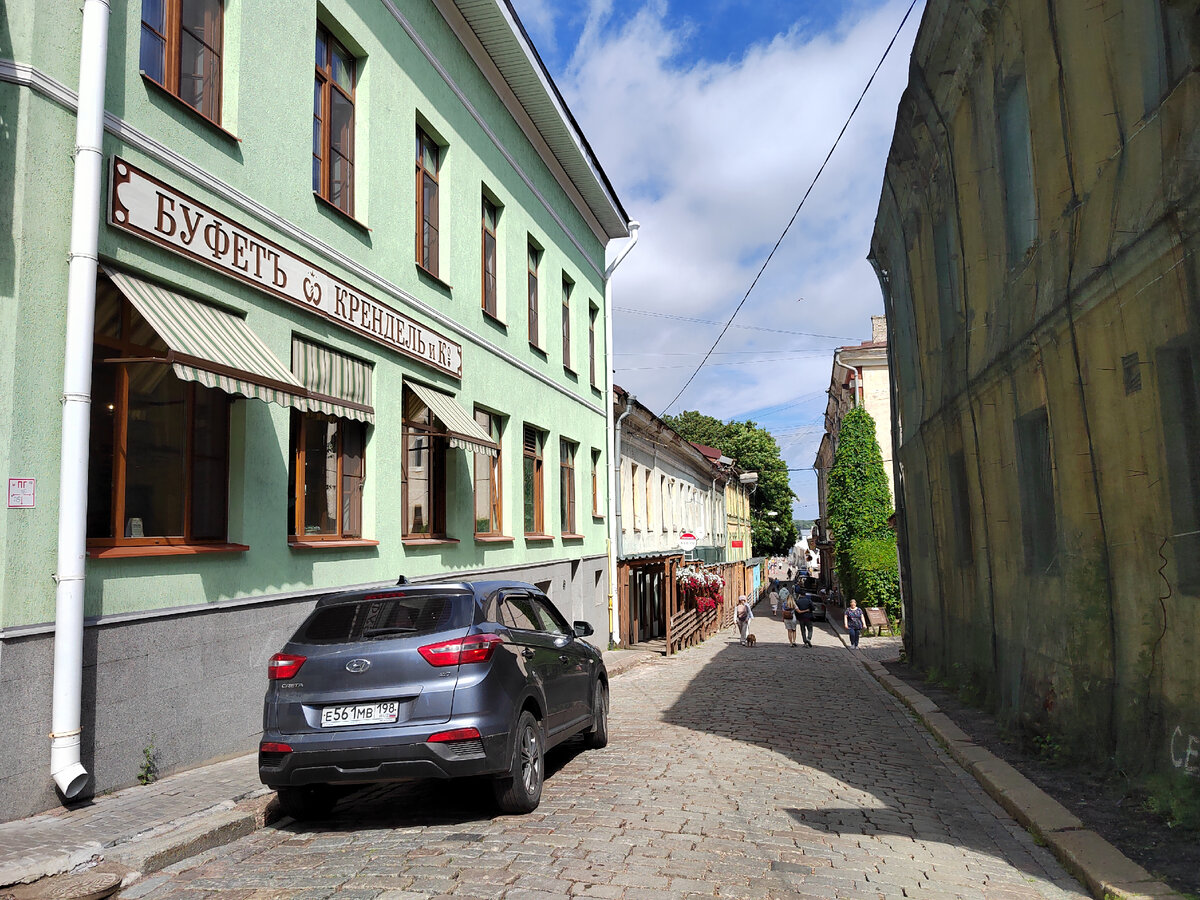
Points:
[[429, 681]]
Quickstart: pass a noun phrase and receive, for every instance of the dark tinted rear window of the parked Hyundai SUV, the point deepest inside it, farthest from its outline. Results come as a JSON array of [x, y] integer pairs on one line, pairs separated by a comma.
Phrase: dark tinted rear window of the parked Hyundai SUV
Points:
[[375, 619]]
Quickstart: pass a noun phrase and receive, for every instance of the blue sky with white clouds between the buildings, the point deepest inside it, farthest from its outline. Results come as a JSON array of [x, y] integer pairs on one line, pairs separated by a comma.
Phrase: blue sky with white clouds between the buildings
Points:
[[711, 119]]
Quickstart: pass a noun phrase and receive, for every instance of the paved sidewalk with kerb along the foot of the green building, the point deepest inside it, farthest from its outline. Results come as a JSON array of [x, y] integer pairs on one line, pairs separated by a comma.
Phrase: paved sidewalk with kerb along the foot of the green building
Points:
[[147, 829]]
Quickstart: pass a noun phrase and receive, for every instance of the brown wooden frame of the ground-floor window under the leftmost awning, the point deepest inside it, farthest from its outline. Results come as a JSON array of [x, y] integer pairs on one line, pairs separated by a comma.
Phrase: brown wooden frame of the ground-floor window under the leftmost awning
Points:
[[109, 351]]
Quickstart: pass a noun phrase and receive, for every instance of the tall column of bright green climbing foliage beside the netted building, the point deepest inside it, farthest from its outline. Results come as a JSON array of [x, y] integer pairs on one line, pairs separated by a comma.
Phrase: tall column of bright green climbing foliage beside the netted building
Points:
[[860, 507]]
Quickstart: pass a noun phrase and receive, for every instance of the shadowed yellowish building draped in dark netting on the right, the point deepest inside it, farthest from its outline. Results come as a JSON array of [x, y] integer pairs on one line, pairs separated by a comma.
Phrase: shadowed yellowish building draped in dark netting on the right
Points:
[[1037, 247]]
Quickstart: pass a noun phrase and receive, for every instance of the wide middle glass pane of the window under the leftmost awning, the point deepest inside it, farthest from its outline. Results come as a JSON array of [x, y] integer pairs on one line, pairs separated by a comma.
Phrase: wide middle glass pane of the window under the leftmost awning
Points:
[[155, 453]]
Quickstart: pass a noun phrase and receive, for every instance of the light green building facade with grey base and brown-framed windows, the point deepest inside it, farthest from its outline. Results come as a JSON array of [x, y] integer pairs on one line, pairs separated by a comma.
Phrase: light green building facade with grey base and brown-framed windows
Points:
[[350, 325]]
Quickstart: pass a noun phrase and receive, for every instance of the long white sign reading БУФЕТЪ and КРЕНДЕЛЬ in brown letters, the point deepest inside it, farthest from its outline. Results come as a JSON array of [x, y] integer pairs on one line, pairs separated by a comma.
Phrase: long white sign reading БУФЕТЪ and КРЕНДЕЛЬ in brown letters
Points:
[[141, 205]]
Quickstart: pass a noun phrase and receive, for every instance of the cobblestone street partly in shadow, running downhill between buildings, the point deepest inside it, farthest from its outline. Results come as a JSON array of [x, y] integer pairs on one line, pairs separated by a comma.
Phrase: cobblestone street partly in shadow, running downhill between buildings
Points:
[[733, 772]]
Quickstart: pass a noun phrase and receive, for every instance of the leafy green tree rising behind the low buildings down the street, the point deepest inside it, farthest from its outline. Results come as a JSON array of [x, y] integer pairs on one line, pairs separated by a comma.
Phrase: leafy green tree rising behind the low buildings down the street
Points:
[[754, 449]]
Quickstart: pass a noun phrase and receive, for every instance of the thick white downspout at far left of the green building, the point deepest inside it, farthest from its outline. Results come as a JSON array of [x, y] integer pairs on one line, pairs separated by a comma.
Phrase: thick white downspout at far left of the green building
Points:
[[65, 718]]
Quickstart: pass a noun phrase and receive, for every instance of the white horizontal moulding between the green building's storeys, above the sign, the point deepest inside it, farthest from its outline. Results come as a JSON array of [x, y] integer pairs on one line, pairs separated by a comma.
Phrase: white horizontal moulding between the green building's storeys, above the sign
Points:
[[29, 77]]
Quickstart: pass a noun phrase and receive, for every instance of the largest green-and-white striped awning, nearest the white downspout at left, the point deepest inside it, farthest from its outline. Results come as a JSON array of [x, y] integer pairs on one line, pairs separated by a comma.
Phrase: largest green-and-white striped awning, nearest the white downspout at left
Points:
[[212, 347]]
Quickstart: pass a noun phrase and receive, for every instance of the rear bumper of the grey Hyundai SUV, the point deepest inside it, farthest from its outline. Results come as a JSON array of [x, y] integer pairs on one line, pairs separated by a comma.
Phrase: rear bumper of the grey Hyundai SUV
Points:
[[316, 759]]
